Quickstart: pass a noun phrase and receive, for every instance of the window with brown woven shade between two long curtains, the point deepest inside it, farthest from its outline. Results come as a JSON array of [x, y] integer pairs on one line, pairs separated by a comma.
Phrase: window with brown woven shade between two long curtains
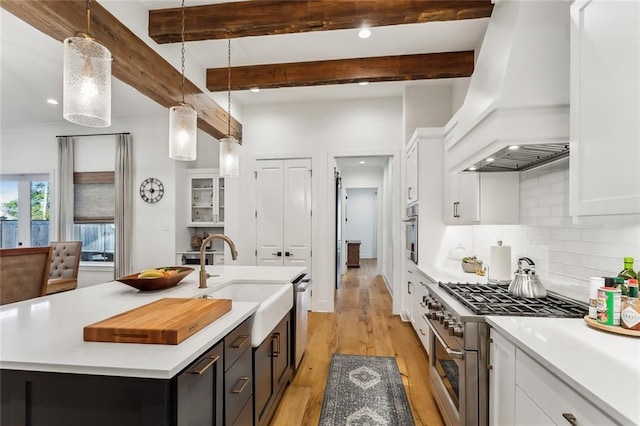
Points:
[[93, 216]]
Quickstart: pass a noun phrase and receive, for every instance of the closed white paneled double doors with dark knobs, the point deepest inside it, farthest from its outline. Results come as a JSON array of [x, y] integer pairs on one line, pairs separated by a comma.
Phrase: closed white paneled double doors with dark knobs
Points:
[[283, 212]]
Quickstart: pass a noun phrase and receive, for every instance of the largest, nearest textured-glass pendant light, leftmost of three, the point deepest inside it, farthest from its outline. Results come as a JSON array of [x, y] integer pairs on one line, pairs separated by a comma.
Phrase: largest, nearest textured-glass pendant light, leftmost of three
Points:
[[87, 79]]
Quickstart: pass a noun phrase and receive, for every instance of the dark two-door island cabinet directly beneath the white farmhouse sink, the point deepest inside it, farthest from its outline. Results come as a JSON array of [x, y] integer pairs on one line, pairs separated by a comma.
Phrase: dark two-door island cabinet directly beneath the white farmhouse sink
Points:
[[272, 370]]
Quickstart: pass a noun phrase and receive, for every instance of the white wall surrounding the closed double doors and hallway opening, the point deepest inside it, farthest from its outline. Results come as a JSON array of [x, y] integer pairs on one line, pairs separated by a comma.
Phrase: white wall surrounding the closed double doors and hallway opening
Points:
[[320, 131]]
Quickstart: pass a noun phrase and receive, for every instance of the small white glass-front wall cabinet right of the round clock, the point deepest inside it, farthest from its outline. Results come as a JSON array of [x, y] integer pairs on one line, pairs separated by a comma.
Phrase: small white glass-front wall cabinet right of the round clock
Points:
[[206, 198]]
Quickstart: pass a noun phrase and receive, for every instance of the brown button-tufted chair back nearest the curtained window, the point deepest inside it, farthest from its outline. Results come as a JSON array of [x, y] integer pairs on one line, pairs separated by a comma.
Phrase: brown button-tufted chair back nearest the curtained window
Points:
[[65, 262]]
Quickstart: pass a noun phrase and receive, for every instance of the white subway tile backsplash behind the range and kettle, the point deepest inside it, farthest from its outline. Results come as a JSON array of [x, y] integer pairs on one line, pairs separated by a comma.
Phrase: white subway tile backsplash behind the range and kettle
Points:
[[566, 254]]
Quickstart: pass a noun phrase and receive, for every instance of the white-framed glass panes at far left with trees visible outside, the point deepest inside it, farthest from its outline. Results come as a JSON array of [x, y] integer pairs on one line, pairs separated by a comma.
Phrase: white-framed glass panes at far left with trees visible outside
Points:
[[25, 210]]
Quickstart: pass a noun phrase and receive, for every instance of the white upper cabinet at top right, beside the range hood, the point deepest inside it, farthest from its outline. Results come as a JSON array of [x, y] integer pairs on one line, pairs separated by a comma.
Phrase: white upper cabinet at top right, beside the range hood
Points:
[[605, 106]]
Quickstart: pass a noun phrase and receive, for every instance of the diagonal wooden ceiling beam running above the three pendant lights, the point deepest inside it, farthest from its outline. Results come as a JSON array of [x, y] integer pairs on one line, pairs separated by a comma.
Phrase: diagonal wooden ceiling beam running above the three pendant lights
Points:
[[134, 63]]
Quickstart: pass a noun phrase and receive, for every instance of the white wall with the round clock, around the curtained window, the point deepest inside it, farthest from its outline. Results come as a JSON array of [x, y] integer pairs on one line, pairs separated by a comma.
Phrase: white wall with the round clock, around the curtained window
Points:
[[34, 149]]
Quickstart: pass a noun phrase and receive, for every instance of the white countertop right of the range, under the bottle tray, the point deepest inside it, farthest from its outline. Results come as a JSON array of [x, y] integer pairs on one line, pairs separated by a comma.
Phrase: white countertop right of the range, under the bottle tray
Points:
[[601, 366]]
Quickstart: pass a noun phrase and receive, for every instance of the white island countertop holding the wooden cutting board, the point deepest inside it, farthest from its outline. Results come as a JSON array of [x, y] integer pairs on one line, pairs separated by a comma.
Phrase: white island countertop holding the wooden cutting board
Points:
[[46, 333]]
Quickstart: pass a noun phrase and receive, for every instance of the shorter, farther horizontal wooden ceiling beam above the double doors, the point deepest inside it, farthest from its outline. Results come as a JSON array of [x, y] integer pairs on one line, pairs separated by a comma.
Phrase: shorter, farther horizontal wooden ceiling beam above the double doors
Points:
[[342, 71]]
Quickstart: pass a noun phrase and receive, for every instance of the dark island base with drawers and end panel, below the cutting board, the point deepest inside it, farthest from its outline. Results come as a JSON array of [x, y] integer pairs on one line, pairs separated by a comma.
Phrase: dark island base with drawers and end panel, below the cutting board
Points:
[[210, 391]]
